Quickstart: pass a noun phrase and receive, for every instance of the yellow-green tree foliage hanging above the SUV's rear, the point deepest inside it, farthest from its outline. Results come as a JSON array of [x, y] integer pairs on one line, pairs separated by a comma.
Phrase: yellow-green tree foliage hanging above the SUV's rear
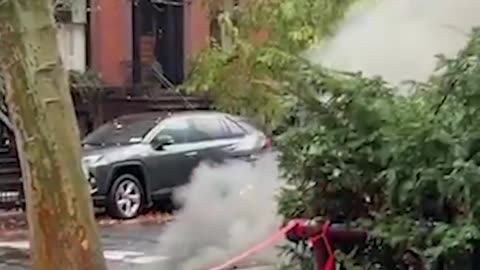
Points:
[[238, 78]]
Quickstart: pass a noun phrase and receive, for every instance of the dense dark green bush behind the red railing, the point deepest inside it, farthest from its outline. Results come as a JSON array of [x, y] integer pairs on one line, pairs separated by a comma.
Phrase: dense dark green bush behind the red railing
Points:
[[405, 167]]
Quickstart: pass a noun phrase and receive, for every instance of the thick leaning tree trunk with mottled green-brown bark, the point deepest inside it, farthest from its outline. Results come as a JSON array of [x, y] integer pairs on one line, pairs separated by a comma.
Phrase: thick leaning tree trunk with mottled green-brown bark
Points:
[[63, 232]]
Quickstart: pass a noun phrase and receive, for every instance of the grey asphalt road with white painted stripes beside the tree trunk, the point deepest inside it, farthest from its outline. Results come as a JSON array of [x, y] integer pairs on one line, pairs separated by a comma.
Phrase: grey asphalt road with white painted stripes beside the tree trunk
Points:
[[131, 246]]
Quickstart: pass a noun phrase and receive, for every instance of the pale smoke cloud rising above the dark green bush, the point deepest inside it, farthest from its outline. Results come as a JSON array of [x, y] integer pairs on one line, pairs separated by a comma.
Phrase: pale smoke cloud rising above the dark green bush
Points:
[[398, 39]]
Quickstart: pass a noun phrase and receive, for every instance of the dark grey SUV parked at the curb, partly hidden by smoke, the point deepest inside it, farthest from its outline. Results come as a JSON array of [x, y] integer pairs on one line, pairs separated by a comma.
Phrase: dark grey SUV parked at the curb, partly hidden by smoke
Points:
[[136, 159]]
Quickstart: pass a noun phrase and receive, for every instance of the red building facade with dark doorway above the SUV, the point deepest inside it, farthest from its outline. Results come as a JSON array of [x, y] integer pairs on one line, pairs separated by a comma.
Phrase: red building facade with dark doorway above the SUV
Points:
[[130, 38]]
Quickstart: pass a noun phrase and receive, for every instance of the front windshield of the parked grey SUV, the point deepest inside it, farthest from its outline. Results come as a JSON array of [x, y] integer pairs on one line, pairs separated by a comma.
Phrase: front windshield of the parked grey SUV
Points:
[[121, 131]]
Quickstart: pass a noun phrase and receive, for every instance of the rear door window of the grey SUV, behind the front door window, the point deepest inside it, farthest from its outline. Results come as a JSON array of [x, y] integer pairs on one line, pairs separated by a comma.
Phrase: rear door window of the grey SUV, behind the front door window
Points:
[[204, 128]]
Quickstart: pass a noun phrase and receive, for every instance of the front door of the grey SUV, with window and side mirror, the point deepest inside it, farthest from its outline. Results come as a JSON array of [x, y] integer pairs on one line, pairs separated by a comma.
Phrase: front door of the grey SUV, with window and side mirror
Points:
[[172, 165]]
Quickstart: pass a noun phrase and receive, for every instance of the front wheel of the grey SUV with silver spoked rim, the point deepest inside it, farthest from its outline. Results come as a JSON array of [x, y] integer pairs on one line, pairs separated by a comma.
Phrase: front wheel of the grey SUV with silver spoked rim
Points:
[[126, 197]]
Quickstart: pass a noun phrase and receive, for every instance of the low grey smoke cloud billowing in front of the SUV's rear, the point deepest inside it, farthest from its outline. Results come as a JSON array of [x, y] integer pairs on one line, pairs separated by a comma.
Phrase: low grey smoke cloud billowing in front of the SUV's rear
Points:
[[227, 209]]
